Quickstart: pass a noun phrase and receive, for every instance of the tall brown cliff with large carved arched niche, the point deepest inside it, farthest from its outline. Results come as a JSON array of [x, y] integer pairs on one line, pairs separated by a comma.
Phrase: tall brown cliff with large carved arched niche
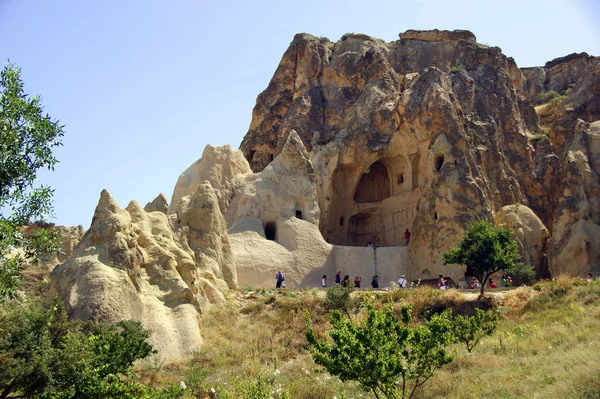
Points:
[[426, 133]]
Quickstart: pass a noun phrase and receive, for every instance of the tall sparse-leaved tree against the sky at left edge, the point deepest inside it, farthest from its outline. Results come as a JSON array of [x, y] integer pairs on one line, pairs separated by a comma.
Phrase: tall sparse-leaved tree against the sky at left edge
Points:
[[27, 138]]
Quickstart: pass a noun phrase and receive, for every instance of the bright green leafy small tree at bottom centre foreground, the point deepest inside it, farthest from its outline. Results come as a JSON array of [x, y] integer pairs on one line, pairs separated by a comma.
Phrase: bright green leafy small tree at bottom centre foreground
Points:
[[383, 354]]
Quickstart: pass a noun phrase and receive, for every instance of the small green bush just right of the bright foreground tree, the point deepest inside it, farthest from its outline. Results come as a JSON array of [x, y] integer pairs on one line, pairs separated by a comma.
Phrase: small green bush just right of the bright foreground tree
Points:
[[470, 330]]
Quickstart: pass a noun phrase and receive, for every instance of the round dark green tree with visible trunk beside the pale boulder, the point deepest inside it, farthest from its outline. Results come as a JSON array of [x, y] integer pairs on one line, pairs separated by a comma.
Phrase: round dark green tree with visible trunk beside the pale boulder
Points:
[[485, 249]]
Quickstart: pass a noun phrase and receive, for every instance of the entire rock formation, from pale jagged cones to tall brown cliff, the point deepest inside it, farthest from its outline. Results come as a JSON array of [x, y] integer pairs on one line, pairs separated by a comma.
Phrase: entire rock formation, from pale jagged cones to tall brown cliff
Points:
[[352, 143]]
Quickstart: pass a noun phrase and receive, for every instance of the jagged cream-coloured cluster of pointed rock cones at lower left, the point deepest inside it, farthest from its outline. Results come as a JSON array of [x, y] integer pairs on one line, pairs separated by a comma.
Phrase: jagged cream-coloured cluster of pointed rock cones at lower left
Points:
[[133, 264]]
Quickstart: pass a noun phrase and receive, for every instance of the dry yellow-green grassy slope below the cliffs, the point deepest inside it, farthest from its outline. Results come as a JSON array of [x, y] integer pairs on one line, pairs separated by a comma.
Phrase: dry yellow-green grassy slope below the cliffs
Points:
[[547, 346]]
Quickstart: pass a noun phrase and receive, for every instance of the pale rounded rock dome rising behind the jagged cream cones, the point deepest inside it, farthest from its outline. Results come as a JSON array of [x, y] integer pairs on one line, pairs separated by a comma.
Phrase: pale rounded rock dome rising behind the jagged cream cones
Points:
[[220, 166]]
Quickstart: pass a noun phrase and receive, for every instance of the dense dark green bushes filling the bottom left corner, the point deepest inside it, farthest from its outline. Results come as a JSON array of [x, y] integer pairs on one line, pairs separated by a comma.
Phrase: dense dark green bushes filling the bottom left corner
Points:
[[46, 355]]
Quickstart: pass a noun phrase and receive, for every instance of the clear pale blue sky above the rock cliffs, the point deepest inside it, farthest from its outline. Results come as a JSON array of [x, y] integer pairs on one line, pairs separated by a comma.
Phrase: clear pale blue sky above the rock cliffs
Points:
[[143, 85]]
